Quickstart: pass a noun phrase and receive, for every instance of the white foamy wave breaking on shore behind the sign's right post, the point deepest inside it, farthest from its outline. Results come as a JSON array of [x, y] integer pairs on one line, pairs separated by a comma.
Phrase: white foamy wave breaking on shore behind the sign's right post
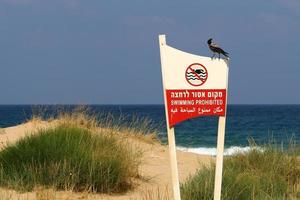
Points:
[[213, 151]]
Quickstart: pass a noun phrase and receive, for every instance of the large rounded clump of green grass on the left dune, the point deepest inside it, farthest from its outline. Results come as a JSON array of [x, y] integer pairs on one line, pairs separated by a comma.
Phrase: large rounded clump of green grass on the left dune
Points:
[[69, 157]]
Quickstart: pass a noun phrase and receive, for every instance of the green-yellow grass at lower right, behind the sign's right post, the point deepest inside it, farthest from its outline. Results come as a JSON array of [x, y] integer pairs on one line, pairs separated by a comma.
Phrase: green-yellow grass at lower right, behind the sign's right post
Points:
[[269, 174]]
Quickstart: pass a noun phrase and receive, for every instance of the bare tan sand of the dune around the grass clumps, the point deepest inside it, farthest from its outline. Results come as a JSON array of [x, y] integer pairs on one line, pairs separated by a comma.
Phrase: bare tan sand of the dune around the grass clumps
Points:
[[154, 172]]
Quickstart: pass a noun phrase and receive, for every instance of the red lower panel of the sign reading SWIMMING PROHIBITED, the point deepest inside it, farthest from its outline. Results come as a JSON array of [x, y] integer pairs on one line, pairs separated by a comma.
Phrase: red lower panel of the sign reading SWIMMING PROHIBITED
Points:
[[185, 104]]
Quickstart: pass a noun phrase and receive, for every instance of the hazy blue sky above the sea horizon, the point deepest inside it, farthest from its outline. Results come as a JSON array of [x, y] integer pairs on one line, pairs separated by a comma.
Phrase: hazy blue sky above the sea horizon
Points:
[[106, 52]]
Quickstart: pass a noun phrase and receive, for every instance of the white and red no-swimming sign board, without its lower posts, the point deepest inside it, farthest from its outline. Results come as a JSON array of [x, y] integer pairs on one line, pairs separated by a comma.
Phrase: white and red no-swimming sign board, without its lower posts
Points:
[[194, 85]]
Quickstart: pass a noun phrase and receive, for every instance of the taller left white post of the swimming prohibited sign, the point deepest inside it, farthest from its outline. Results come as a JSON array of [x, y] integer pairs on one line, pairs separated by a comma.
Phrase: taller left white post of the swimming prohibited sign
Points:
[[171, 134]]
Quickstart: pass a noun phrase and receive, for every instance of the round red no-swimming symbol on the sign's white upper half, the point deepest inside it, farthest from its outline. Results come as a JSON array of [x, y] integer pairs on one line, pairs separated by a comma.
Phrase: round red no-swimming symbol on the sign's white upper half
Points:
[[196, 74]]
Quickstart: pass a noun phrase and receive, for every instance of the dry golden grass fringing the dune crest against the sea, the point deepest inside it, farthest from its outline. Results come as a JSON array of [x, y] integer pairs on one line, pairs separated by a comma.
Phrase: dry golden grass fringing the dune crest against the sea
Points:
[[141, 129]]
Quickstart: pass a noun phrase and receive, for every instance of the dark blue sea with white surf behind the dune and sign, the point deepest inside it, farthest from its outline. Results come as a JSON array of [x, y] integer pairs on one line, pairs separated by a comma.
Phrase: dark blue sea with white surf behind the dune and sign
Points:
[[245, 124]]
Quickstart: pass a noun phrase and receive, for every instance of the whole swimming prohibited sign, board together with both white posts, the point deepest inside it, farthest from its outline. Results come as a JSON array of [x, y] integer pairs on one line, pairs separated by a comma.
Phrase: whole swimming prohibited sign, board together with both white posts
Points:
[[193, 86]]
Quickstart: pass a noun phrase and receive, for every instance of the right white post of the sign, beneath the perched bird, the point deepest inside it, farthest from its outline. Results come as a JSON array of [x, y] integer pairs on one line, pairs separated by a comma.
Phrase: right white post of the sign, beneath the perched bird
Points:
[[220, 149]]
